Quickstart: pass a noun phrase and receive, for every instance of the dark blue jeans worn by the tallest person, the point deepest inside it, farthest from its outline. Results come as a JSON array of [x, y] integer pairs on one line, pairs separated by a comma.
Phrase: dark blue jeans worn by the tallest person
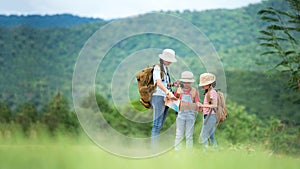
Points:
[[160, 112]]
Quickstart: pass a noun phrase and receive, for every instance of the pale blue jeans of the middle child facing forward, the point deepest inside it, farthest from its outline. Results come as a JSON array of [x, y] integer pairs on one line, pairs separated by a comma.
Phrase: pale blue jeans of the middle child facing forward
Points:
[[184, 125]]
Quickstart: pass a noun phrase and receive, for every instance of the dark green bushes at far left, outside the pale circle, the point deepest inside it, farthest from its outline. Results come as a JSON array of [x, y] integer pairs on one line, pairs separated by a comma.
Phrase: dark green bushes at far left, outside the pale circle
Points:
[[54, 116]]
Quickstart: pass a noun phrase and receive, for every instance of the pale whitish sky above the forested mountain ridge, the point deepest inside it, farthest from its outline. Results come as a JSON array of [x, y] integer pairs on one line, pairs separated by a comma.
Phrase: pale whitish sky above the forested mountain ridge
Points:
[[111, 9]]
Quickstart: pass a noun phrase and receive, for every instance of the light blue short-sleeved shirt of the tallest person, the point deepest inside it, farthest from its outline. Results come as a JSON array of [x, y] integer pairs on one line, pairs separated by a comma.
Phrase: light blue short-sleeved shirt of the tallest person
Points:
[[156, 75]]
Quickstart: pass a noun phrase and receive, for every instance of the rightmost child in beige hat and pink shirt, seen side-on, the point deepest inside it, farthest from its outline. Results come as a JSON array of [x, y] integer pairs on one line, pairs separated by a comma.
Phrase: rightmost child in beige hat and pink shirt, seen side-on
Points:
[[207, 83]]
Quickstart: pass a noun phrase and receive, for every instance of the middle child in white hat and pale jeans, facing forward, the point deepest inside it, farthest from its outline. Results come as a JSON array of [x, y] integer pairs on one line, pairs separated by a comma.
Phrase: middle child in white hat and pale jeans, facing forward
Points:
[[186, 116]]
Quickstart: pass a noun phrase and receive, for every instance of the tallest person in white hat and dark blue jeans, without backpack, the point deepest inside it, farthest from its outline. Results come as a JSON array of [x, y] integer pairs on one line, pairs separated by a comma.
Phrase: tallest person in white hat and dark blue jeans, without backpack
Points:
[[161, 78]]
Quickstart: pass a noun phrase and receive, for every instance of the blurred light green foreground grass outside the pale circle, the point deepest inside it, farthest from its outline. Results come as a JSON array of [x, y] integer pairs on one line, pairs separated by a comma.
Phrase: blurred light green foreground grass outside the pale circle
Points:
[[68, 152]]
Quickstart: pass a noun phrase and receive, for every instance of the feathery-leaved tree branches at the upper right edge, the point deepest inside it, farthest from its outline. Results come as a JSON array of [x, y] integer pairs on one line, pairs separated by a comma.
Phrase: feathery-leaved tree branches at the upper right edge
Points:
[[281, 39]]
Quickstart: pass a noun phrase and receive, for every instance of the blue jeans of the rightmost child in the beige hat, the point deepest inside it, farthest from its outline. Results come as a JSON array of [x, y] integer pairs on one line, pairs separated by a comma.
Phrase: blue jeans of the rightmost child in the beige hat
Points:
[[208, 131]]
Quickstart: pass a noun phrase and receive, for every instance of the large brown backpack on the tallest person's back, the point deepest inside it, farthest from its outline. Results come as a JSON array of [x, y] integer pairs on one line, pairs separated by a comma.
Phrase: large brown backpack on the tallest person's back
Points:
[[146, 85]]
